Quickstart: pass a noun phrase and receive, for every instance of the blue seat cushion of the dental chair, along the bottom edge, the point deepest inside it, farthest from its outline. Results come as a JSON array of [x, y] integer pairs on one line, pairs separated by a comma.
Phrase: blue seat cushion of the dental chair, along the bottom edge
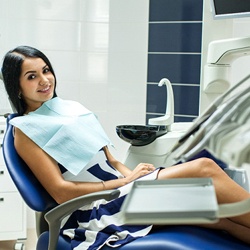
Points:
[[170, 238]]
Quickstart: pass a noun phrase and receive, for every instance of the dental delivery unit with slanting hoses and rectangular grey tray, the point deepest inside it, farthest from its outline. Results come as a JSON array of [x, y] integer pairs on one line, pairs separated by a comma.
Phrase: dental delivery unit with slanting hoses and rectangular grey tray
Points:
[[226, 133]]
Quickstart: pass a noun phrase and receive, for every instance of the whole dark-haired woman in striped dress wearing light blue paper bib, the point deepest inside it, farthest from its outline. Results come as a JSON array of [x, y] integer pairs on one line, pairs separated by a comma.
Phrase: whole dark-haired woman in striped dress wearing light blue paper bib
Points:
[[68, 153]]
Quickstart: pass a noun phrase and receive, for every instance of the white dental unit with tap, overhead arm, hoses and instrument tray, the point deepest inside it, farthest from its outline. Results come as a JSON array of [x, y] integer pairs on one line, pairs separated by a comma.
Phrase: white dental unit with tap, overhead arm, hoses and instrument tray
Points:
[[223, 130]]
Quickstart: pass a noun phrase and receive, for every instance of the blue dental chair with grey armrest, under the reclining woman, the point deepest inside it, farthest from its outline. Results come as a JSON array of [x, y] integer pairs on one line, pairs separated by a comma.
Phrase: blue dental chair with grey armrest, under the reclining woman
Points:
[[36, 197]]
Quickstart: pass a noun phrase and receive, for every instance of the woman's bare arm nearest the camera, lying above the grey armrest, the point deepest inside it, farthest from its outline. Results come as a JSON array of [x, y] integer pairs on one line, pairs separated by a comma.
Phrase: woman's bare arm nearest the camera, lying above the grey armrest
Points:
[[46, 170]]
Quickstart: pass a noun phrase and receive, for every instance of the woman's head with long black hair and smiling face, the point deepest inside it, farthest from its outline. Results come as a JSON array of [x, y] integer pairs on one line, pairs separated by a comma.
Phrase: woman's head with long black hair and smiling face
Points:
[[34, 77]]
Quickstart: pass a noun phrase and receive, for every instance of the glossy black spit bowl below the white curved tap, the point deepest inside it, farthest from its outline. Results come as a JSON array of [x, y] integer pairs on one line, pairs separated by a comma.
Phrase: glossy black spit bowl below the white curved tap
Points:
[[139, 135]]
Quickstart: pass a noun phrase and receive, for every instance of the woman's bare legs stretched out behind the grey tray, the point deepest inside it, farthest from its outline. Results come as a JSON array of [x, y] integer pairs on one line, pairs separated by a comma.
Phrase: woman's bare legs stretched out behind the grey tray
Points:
[[227, 191]]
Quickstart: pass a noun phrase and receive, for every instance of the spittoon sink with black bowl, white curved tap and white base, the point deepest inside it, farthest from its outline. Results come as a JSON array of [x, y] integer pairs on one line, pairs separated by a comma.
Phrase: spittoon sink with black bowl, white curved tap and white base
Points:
[[153, 142]]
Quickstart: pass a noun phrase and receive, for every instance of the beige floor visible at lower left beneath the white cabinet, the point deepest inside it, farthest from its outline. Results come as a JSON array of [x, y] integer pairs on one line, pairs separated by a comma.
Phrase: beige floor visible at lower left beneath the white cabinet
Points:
[[30, 243]]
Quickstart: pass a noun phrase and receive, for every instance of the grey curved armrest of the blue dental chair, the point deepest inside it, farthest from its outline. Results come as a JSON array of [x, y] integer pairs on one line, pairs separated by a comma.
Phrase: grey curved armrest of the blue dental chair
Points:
[[55, 215]]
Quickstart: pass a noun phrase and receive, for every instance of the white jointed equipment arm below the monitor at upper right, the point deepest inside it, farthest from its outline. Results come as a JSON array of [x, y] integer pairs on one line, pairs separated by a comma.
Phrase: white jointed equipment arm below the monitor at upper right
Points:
[[221, 54]]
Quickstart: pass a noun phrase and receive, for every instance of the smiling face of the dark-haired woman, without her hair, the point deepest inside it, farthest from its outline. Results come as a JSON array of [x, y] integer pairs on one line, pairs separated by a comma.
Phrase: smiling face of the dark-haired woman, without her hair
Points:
[[37, 83]]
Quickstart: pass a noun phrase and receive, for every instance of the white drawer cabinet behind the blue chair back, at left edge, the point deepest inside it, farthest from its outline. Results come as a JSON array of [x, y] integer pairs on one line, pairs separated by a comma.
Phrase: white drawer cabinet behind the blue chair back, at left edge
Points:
[[12, 207]]
